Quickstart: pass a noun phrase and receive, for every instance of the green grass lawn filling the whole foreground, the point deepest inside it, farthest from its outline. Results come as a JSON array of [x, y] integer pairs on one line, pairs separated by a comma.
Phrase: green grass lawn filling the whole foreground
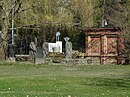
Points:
[[29, 80]]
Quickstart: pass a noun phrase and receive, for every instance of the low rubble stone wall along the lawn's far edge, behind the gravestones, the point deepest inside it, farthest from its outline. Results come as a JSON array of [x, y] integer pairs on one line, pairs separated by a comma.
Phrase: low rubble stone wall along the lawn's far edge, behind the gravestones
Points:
[[59, 60]]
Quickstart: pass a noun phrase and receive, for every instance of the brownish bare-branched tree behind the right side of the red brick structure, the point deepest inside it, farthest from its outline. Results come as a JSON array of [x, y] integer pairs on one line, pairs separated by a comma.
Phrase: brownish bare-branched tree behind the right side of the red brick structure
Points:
[[116, 12]]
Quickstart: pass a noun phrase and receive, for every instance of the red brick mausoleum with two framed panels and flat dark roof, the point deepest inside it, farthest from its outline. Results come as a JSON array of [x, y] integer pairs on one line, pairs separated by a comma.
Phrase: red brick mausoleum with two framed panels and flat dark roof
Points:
[[105, 45]]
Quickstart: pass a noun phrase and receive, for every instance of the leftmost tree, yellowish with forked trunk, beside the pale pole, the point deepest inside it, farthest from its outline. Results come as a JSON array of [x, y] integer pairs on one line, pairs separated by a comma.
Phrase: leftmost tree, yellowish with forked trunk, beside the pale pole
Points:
[[9, 9]]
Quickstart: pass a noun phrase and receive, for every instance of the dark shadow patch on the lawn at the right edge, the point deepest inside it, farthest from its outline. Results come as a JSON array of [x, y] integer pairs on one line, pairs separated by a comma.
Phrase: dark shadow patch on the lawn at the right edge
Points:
[[110, 82]]
